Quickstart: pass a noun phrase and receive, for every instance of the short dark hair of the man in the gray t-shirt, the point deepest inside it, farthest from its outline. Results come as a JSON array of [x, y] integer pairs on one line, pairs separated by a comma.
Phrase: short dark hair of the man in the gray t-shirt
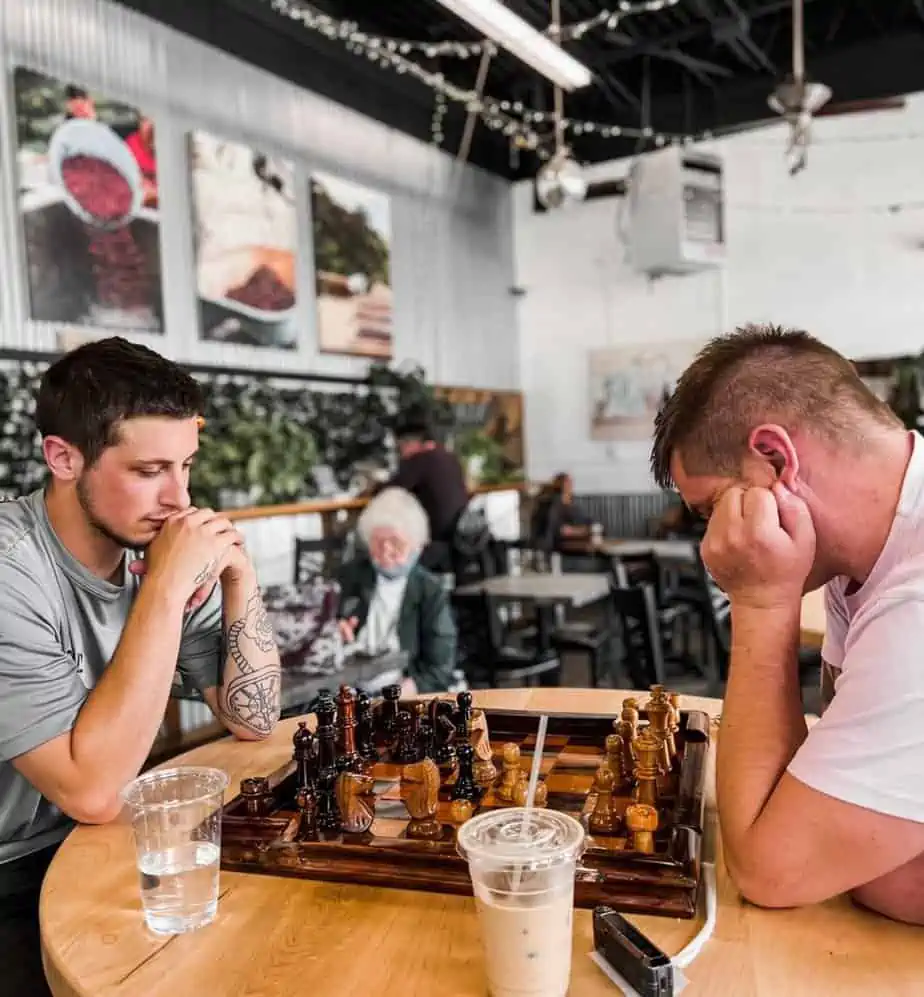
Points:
[[87, 393]]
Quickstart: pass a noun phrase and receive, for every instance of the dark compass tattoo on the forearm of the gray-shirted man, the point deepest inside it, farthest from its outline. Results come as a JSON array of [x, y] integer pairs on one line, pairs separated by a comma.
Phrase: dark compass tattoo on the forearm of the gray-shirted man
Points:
[[251, 699]]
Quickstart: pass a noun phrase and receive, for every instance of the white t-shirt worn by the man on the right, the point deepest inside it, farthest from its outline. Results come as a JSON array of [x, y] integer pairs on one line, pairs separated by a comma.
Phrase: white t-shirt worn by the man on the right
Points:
[[868, 747]]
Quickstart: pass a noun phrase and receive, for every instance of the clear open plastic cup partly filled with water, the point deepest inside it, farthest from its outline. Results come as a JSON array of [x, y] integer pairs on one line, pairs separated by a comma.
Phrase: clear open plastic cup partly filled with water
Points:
[[176, 817]]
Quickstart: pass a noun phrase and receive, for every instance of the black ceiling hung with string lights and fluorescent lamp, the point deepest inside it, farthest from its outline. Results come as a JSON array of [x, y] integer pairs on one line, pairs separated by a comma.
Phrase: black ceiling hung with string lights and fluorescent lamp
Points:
[[699, 65]]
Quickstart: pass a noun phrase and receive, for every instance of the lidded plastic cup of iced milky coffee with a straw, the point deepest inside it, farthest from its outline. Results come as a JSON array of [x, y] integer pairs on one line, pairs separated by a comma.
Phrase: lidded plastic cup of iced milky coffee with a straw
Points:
[[524, 895]]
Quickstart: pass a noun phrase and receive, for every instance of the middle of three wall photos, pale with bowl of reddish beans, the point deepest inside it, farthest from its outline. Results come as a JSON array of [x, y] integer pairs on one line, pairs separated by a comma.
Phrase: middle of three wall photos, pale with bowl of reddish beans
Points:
[[245, 228]]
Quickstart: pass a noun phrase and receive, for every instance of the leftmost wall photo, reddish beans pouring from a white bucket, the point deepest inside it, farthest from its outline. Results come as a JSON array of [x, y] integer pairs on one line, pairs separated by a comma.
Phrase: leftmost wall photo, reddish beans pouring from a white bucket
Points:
[[88, 199]]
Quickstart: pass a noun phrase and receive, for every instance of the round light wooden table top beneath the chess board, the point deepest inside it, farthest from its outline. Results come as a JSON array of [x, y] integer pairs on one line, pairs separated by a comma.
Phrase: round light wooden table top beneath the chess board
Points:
[[277, 937]]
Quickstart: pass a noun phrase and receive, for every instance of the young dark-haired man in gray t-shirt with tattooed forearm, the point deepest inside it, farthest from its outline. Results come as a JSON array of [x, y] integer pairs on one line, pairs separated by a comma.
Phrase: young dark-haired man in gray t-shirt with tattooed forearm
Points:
[[109, 582]]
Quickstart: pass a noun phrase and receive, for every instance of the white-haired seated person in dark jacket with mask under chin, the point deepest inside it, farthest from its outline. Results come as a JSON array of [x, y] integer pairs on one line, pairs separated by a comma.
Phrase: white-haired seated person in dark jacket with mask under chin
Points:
[[389, 603]]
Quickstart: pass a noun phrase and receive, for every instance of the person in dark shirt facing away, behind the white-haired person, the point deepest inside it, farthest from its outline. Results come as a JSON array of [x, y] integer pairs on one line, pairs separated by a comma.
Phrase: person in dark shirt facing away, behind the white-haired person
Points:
[[435, 477]]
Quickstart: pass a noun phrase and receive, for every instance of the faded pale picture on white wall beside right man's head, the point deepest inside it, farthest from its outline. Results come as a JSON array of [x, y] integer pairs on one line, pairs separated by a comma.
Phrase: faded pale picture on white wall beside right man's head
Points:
[[629, 384]]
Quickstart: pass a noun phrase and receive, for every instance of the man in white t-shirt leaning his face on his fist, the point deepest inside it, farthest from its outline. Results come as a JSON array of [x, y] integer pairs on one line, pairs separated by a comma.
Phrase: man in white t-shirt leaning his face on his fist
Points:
[[808, 479]]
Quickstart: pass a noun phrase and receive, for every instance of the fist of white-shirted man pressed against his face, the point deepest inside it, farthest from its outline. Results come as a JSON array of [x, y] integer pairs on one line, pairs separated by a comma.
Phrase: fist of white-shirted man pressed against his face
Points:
[[760, 547]]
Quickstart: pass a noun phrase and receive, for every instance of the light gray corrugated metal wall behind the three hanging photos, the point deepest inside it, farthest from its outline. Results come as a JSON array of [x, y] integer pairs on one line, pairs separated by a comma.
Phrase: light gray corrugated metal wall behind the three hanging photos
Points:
[[452, 225]]
